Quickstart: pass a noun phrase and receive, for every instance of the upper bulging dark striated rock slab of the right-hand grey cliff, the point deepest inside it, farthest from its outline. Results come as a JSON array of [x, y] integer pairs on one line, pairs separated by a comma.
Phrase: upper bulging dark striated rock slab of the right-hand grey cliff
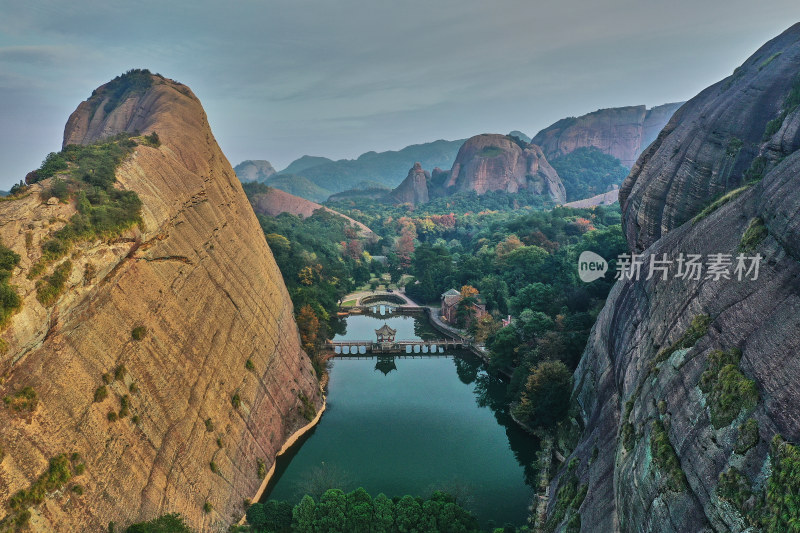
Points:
[[708, 145]]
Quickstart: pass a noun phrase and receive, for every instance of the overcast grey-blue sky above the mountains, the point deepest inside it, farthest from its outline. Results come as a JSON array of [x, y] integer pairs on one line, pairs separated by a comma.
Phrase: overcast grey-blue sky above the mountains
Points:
[[280, 79]]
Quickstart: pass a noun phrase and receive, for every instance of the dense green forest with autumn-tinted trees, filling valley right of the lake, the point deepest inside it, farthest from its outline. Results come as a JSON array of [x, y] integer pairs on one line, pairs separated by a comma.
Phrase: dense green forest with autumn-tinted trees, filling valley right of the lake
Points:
[[522, 263]]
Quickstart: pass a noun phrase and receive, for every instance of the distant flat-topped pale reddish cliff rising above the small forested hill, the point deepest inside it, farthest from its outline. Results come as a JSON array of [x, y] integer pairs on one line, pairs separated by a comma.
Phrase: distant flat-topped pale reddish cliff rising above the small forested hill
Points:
[[622, 132]]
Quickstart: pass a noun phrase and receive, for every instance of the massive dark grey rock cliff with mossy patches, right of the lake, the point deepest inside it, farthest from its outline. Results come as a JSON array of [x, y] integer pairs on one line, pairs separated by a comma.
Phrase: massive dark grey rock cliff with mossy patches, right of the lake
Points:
[[620, 381]]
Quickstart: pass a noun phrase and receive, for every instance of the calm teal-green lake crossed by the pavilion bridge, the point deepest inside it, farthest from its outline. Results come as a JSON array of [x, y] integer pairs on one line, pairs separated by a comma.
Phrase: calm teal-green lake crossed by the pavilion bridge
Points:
[[429, 423]]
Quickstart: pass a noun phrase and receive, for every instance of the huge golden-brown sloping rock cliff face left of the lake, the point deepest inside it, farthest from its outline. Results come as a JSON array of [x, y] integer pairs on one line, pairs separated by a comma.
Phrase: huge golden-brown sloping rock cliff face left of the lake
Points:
[[199, 276]]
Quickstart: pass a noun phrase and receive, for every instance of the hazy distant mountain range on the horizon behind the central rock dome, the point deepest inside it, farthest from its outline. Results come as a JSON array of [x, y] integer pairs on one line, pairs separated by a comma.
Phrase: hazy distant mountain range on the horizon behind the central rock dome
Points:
[[622, 133]]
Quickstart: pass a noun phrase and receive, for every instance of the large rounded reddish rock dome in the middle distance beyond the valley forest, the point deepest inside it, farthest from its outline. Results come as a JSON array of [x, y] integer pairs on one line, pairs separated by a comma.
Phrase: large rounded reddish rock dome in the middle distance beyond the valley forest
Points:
[[493, 162]]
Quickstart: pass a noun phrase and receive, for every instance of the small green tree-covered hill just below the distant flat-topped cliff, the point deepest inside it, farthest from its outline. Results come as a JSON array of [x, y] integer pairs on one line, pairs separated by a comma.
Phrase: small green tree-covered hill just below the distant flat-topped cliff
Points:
[[587, 172]]
